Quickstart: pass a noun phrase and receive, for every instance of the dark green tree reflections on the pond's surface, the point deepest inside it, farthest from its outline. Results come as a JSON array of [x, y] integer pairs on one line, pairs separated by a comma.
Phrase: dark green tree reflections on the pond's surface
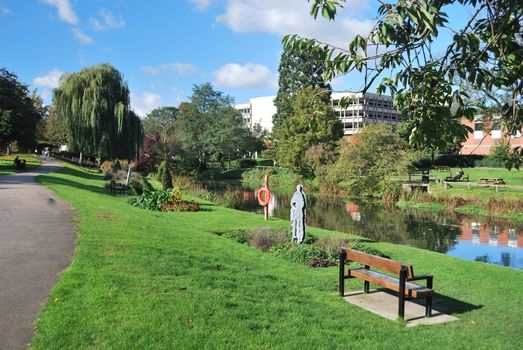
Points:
[[423, 229]]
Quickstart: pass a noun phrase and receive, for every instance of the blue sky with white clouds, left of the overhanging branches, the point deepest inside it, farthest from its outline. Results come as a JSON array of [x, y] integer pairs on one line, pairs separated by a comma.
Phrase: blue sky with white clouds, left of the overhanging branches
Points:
[[163, 47]]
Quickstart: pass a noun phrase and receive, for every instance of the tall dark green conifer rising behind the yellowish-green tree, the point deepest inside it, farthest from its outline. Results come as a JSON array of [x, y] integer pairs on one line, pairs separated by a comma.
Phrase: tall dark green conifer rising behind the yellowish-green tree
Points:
[[298, 69]]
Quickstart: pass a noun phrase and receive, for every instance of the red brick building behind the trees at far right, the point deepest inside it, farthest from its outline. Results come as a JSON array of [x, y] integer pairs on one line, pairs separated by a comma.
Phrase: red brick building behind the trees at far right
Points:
[[486, 135]]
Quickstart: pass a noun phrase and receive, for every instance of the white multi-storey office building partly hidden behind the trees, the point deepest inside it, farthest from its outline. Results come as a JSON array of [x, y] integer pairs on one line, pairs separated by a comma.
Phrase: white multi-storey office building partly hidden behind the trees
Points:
[[362, 109]]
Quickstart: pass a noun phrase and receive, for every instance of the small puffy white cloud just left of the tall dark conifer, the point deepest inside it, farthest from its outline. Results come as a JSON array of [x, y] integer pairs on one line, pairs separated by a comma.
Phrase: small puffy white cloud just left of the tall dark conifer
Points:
[[251, 75]]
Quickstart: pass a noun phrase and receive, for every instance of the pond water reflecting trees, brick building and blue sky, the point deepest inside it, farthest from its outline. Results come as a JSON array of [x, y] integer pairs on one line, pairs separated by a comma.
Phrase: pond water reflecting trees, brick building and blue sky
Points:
[[494, 241]]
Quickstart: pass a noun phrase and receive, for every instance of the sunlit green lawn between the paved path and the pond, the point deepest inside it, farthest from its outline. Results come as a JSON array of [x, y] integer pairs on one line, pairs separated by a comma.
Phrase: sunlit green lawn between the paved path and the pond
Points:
[[153, 280]]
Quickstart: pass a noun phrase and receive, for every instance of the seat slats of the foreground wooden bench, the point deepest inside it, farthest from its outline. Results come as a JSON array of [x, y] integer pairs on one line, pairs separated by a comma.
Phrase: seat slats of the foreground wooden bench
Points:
[[411, 289]]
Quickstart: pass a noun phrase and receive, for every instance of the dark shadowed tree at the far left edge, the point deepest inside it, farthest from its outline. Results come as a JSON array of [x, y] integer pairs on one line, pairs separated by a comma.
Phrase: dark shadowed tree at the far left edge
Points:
[[20, 112]]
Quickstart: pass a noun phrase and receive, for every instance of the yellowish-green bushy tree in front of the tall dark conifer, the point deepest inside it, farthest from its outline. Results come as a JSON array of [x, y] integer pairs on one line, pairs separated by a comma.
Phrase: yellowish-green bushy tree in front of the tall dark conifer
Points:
[[313, 123]]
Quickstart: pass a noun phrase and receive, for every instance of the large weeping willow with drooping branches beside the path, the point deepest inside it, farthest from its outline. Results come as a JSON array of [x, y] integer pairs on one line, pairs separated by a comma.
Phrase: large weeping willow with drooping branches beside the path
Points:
[[94, 104]]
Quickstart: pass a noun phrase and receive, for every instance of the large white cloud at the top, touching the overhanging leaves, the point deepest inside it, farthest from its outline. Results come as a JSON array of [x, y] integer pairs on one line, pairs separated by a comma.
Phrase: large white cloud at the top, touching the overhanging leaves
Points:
[[293, 17]]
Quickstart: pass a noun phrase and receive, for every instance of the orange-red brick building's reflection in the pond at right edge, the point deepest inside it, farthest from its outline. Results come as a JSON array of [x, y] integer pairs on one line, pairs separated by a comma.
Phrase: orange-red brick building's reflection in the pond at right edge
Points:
[[492, 235]]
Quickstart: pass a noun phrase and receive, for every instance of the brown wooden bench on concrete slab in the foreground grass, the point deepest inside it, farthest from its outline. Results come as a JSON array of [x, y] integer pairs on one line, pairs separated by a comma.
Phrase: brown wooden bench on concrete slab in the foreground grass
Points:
[[402, 284]]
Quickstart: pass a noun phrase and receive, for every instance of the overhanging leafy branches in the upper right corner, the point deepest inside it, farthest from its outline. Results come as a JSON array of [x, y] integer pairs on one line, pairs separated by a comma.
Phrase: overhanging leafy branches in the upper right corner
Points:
[[487, 52]]
